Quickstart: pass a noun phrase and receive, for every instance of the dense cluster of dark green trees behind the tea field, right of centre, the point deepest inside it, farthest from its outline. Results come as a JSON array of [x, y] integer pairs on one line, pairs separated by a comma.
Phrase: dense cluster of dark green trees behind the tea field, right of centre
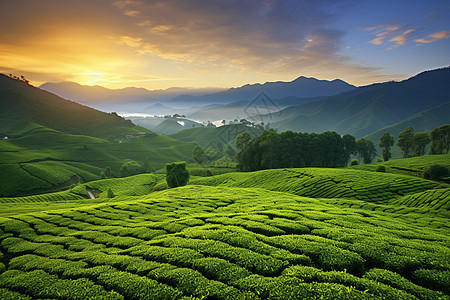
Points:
[[293, 150]]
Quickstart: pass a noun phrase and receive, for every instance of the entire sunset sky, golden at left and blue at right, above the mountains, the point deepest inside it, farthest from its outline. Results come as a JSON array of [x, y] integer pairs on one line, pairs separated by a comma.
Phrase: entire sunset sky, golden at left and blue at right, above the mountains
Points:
[[221, 43]]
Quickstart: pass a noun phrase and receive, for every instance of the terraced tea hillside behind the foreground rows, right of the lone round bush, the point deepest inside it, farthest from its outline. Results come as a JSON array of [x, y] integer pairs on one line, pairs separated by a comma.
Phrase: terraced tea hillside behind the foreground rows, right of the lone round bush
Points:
[[372, 187]]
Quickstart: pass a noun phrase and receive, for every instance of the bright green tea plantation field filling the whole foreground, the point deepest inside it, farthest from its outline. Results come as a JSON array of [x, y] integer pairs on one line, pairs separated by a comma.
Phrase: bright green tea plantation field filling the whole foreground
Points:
[[227, 241]]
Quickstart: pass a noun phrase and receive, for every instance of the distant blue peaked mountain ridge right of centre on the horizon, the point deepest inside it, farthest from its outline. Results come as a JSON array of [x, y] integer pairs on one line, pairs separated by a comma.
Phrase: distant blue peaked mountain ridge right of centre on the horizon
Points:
[[302, 87]]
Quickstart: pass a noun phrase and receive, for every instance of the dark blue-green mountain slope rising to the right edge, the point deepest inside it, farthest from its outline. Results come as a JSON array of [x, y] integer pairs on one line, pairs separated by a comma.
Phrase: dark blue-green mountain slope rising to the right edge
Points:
[[367, 109]]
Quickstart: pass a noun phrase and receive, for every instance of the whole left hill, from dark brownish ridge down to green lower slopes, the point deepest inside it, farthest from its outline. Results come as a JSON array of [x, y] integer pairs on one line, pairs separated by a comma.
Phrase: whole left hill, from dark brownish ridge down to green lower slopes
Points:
[[54, 143]]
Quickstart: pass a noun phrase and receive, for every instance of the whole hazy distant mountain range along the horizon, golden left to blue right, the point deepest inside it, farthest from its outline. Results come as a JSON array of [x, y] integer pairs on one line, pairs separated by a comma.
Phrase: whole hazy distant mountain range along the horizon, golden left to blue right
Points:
[[181, 98]]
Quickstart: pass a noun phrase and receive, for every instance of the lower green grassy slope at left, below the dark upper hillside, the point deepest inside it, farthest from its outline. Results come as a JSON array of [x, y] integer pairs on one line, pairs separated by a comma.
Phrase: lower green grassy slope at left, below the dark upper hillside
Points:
[[38, 159]]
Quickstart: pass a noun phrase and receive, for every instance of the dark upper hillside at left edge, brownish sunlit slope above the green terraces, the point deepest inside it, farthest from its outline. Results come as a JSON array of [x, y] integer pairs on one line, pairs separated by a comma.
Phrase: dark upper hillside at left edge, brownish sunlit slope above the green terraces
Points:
[[21, 104]]
